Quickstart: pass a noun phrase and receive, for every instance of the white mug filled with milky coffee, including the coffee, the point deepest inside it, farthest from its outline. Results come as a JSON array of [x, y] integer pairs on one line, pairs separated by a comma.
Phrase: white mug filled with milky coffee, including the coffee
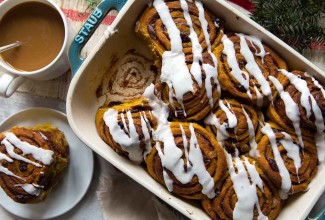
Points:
[[43, 29]]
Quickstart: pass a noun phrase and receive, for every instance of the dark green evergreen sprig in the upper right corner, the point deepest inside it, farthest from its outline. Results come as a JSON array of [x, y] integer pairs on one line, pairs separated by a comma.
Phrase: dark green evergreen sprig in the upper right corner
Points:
[[297, 22]]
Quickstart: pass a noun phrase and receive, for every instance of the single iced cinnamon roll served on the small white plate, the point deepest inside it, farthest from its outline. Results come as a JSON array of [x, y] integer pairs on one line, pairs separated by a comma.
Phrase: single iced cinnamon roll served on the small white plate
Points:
[[32, 161]]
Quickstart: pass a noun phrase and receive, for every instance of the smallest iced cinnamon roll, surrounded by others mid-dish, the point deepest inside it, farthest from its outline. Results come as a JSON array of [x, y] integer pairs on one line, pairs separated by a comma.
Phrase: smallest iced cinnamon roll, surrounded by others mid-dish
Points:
[[236, 126]]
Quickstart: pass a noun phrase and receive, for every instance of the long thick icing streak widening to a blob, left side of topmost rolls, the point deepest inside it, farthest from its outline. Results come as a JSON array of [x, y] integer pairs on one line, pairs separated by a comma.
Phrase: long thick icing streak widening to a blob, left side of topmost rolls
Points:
[[174, 70]]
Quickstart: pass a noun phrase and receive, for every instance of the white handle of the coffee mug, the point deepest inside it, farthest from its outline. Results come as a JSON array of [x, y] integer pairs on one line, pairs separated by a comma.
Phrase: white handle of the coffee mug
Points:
[[9, 83]]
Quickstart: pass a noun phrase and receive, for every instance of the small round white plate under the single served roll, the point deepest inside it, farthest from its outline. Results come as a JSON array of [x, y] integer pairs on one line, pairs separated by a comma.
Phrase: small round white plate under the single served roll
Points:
[[74, 184]]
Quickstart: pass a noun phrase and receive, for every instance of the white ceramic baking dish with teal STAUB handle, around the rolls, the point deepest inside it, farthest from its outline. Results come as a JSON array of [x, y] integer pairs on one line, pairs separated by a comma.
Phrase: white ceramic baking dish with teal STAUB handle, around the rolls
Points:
[[82, 101]]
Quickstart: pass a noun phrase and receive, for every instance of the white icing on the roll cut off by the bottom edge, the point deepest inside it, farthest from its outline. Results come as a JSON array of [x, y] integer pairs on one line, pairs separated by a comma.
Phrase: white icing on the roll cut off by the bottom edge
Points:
[[245, 190]]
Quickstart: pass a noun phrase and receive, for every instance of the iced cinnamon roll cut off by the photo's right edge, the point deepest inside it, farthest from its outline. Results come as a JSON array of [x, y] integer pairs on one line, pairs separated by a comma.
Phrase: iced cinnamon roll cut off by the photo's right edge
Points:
[[299, 108]]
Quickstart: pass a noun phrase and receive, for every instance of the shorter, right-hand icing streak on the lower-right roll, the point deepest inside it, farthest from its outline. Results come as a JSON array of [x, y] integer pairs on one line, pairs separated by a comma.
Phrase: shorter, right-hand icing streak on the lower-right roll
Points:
[[292, 151]]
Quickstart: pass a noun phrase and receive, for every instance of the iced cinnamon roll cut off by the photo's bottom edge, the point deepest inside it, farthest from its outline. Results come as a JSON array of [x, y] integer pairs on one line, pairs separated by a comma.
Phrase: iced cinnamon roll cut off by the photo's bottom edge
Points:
[[246, 193]]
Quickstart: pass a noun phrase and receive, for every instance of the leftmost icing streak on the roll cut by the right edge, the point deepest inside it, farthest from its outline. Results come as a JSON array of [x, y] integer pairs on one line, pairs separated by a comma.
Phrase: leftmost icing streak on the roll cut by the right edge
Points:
[[291, 108]]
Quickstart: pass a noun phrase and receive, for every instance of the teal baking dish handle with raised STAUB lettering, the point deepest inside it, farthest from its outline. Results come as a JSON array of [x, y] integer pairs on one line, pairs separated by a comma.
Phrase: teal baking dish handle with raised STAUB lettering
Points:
[[88, 29]]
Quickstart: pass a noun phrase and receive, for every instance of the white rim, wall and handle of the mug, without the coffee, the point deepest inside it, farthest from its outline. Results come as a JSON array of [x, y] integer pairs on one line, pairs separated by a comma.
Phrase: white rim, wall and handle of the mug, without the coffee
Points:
[[11, 79]]
